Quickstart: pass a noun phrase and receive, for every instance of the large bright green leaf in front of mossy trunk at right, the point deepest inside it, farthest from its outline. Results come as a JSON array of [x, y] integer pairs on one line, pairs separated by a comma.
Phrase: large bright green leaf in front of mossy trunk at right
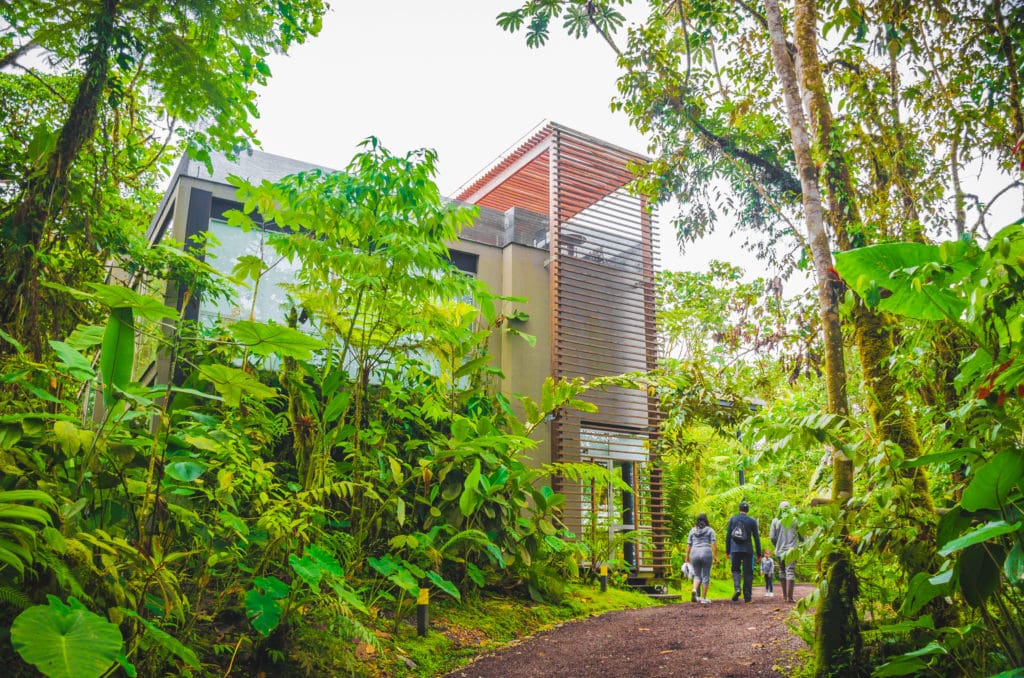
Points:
[[897, 277]]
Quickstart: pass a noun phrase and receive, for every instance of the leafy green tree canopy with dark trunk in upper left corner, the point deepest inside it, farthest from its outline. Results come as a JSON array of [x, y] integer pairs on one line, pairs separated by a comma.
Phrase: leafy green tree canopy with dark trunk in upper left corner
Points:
[[125, 88]]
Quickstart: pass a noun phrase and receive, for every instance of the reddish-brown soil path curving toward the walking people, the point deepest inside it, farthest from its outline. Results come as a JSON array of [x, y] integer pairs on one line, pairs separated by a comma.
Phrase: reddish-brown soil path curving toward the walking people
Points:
[[686, 640]]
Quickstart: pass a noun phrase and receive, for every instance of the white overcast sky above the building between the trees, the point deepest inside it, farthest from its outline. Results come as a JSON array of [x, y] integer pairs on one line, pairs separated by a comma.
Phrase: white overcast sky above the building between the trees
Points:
[[443, 75]]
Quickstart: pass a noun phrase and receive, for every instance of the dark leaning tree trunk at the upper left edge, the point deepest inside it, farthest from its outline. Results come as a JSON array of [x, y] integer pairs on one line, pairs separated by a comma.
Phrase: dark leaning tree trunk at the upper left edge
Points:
[[45, 193]]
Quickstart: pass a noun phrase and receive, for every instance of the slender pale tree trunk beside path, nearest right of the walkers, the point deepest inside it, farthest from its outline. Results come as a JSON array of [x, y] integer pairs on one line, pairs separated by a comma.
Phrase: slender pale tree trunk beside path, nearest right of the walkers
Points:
[[838, 633]]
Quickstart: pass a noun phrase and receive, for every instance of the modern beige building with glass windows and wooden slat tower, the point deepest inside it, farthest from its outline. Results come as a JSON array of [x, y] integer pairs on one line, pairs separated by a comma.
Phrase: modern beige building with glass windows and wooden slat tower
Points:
[[559, 227]]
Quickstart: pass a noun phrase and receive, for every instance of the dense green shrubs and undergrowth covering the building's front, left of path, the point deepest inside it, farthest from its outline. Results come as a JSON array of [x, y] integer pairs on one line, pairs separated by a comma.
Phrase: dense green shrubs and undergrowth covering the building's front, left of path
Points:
[[335, 471]]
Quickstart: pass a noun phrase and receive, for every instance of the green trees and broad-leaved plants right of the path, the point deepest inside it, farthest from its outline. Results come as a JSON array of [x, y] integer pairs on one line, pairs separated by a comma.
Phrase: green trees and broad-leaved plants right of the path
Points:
[[867, 119]]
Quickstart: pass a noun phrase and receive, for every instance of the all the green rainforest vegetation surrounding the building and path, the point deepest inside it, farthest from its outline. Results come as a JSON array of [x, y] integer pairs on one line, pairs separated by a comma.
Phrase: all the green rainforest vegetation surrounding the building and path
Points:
[[279, 483]]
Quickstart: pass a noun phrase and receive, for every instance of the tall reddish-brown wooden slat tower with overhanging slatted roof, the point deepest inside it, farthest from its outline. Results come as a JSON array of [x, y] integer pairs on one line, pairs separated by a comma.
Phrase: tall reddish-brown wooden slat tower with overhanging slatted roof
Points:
[[604, 255]]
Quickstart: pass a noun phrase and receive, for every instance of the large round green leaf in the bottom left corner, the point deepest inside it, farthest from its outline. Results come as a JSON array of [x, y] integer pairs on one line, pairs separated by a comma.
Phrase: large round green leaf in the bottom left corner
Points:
[[66, 642]]
